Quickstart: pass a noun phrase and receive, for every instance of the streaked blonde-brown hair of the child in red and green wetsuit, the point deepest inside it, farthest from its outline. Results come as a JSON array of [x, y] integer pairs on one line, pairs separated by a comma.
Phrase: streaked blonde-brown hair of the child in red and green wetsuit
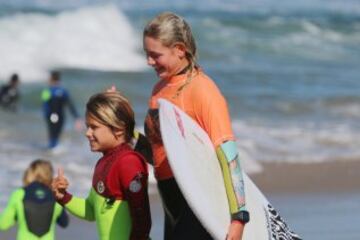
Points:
[[113, 110]]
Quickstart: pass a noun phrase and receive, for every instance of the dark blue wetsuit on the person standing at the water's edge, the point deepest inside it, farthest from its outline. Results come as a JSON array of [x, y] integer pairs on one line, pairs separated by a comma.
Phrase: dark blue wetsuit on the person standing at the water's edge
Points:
[[55, 98]]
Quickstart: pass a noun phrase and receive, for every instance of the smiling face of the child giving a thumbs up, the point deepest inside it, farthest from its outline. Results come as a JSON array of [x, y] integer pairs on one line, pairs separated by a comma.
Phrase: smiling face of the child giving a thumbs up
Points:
[[101, 137]]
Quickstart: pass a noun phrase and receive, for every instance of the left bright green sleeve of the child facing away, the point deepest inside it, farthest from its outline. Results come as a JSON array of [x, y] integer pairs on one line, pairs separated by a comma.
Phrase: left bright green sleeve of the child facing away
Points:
[[8, 216]]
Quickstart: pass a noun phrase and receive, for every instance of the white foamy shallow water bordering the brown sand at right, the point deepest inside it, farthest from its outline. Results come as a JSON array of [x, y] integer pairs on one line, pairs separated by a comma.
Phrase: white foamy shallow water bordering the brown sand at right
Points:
[[302, 143]]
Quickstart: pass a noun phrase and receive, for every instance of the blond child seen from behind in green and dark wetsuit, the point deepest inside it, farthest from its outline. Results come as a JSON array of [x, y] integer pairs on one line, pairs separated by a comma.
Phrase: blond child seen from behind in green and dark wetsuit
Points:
[[33, 206]]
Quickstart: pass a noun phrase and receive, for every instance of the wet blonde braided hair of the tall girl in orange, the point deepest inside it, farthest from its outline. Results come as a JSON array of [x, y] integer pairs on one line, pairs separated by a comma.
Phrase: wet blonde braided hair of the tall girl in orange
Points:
[[171, 29]]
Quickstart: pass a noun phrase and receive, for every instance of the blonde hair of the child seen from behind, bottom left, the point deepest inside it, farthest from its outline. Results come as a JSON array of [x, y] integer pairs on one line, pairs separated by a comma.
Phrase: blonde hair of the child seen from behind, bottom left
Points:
[[40, 171]]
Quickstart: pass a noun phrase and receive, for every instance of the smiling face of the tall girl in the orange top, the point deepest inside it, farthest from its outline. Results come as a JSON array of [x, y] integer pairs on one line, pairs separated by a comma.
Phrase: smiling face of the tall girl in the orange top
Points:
[[167, 61]]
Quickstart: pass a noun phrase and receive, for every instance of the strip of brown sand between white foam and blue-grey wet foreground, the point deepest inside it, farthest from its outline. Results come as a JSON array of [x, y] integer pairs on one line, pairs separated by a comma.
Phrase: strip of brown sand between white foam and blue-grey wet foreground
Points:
[[312, 178]]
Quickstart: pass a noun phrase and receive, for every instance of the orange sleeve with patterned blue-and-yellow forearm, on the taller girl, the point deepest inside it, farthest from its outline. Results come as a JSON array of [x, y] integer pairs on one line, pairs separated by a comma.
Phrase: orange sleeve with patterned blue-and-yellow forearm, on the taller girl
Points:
[[213, 115]]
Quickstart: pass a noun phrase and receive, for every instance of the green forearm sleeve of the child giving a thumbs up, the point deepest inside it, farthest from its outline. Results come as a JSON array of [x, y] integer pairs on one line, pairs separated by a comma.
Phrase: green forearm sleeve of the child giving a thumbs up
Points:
[[81, 208]]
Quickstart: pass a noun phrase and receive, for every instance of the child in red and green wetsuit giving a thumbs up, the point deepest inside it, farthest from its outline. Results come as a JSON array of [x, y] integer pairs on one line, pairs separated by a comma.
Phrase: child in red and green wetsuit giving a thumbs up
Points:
[[118, 200]]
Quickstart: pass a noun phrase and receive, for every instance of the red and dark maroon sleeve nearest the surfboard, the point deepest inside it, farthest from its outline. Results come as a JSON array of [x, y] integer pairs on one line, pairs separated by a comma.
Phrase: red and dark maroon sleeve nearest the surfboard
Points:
[[134, 182]]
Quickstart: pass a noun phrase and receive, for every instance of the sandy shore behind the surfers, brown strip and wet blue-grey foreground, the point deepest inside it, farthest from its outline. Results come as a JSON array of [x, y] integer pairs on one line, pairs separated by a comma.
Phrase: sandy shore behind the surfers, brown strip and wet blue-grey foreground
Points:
[[310, 197]]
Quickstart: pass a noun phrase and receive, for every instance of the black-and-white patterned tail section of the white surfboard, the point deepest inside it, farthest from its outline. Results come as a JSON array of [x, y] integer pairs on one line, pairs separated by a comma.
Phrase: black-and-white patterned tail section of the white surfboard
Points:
[[278, 229]]
